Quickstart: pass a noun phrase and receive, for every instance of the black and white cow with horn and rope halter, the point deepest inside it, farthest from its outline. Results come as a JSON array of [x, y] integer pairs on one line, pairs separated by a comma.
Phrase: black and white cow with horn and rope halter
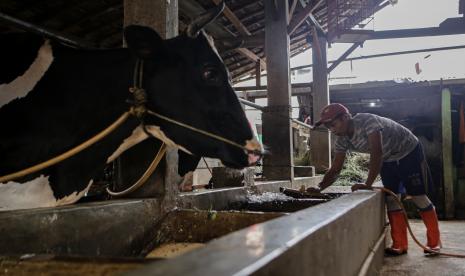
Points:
[[53, 98]]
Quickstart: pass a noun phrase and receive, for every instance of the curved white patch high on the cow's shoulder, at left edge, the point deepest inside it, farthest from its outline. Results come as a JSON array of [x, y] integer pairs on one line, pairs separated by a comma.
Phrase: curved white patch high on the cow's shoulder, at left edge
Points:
[[22, 85]]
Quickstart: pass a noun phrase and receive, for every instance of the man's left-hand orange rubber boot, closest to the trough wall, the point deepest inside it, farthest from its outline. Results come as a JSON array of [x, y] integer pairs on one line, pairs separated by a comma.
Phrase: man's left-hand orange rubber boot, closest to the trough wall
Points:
[[398, 233]]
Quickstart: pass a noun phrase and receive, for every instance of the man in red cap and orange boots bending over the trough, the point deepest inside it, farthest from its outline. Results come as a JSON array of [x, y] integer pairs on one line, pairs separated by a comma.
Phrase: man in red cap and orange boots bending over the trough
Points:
[[397, 155]]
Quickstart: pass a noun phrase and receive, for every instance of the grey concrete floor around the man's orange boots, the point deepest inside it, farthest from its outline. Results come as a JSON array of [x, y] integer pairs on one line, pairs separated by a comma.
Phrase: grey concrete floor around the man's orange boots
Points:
[[415, 263]]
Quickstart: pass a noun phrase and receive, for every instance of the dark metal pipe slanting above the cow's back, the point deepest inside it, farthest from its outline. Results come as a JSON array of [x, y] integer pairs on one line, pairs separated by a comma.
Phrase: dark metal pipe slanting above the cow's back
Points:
[[29, 27]]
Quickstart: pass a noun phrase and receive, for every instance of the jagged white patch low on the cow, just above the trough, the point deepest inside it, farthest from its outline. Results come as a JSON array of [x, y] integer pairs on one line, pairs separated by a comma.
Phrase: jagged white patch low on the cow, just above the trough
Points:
[[33, 194]]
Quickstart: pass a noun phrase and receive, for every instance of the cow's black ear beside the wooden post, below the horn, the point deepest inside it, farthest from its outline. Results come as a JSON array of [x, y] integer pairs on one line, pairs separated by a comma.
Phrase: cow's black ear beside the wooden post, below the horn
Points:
[[144, 42]]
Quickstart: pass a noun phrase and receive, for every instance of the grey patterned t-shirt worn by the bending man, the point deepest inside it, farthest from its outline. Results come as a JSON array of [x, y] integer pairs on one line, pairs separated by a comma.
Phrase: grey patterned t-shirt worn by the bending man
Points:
[[397, 140]]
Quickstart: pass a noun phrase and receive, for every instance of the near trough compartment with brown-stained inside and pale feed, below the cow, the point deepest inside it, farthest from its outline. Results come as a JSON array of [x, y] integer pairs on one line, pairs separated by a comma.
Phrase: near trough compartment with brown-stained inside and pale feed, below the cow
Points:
[[109, 238]]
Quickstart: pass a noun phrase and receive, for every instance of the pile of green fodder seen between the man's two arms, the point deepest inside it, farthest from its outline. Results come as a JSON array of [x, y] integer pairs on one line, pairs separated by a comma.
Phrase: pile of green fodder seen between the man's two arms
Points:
[[355, 169]]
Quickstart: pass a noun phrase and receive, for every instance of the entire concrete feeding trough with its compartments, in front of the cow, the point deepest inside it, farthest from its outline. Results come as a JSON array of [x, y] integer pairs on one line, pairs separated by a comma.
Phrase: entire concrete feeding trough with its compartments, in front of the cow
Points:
[[204, 237]]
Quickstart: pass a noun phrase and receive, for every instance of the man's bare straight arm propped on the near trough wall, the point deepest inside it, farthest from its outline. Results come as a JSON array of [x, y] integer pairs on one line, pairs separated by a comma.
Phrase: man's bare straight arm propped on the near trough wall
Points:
[[376, 156]]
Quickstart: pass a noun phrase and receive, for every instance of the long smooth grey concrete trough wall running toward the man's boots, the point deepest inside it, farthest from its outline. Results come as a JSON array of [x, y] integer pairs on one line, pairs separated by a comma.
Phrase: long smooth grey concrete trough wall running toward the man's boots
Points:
[[344, 236]]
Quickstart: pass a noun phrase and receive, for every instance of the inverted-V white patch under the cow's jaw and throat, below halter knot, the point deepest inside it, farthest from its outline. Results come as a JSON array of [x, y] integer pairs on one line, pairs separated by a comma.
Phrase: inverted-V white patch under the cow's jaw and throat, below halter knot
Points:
[[138, 135]]
